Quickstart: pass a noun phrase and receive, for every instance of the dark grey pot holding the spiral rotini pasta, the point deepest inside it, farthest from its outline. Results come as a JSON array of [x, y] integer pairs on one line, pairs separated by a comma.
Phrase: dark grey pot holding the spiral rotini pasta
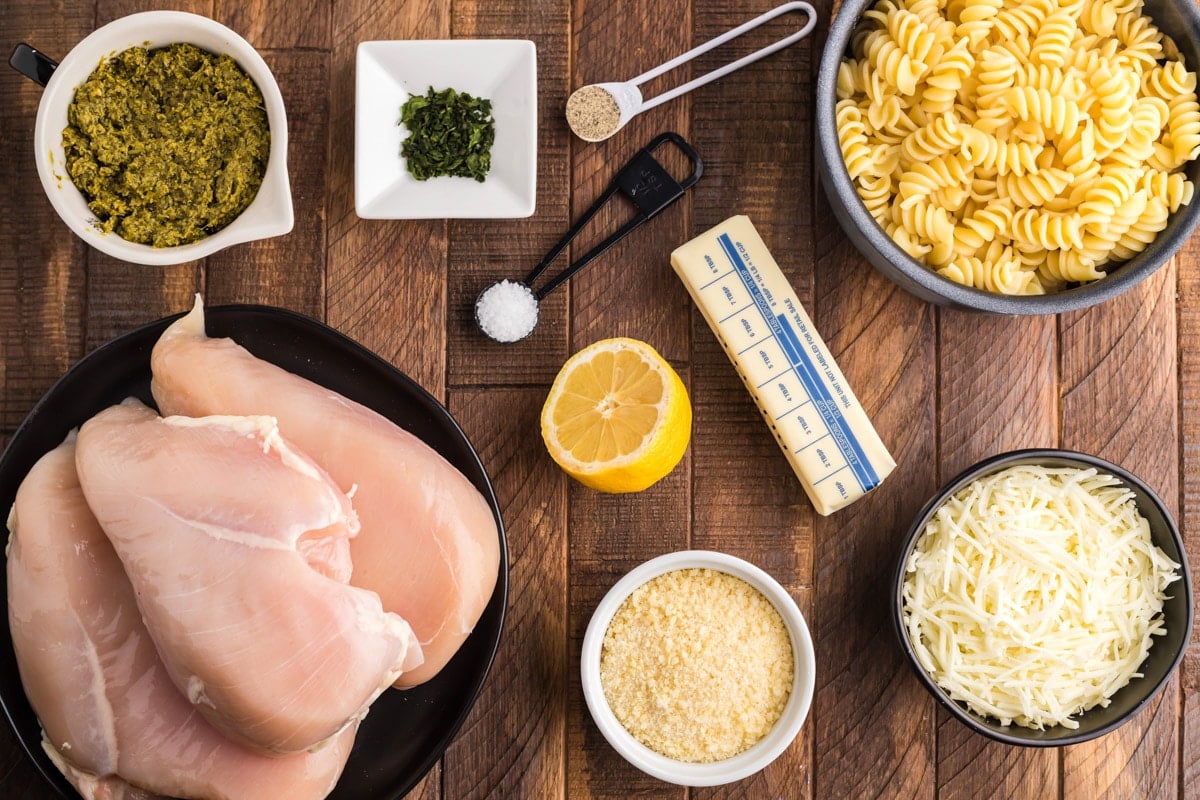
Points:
[[1180, 21]]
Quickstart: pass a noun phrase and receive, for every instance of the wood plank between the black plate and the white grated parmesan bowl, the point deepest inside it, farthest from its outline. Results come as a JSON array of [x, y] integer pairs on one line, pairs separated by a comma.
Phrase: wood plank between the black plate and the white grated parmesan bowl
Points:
[[513, 744]]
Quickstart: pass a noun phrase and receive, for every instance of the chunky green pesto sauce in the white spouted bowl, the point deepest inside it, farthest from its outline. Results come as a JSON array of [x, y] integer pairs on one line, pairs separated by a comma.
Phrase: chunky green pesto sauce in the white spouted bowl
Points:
[[167, 146]]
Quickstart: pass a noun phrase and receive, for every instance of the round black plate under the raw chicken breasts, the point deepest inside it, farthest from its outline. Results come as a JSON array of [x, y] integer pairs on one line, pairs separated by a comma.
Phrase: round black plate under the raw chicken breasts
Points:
[[406, 732]]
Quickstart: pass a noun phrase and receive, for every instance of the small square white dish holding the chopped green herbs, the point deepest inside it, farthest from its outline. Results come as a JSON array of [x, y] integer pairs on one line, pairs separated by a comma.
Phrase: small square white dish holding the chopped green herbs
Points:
[[388, 74]]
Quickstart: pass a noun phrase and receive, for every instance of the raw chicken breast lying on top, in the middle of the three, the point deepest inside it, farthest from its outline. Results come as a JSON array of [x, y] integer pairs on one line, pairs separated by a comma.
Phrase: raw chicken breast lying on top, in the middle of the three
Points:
[[213, 520]]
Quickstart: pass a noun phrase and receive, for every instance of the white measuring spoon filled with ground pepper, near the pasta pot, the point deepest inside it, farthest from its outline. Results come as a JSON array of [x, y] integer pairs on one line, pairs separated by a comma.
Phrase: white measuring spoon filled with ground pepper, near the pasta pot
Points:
[[598, 111]]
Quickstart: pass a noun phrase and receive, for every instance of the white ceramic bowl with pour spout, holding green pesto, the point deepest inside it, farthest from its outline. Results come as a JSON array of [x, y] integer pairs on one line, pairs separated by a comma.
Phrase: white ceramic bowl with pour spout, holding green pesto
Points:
[[268, 215]]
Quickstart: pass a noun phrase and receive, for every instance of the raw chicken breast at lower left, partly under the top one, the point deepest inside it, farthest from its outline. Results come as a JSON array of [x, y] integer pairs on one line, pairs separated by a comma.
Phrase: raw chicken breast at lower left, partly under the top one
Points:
[[115, 723]]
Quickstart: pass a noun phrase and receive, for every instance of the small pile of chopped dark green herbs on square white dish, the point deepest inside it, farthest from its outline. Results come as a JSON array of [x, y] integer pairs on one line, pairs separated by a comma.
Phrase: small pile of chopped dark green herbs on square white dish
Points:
[[449, 134]]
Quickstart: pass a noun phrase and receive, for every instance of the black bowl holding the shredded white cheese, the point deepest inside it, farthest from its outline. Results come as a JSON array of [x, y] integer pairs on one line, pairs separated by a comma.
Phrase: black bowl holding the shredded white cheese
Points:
[[1165, 657]]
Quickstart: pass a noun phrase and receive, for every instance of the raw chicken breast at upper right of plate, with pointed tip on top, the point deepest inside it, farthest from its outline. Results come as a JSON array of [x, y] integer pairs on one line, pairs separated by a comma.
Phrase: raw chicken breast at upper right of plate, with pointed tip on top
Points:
[[429, 545]]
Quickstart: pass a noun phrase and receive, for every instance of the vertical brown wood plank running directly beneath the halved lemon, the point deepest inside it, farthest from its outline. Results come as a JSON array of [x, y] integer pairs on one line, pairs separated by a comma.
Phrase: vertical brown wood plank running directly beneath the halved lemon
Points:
[[631, 291]]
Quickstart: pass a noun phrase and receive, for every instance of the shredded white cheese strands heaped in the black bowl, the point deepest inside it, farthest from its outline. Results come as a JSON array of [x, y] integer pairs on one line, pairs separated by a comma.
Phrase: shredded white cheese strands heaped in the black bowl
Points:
[[1034, 594]]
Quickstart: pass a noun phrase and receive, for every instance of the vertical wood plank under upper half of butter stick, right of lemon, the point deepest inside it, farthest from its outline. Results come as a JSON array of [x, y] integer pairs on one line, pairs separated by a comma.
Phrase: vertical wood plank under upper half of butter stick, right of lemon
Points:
[[748, 502]]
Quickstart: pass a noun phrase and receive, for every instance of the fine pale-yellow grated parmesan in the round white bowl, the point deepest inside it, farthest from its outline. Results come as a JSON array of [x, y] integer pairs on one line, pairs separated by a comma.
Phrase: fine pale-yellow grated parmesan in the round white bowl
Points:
[[698, 665]]
